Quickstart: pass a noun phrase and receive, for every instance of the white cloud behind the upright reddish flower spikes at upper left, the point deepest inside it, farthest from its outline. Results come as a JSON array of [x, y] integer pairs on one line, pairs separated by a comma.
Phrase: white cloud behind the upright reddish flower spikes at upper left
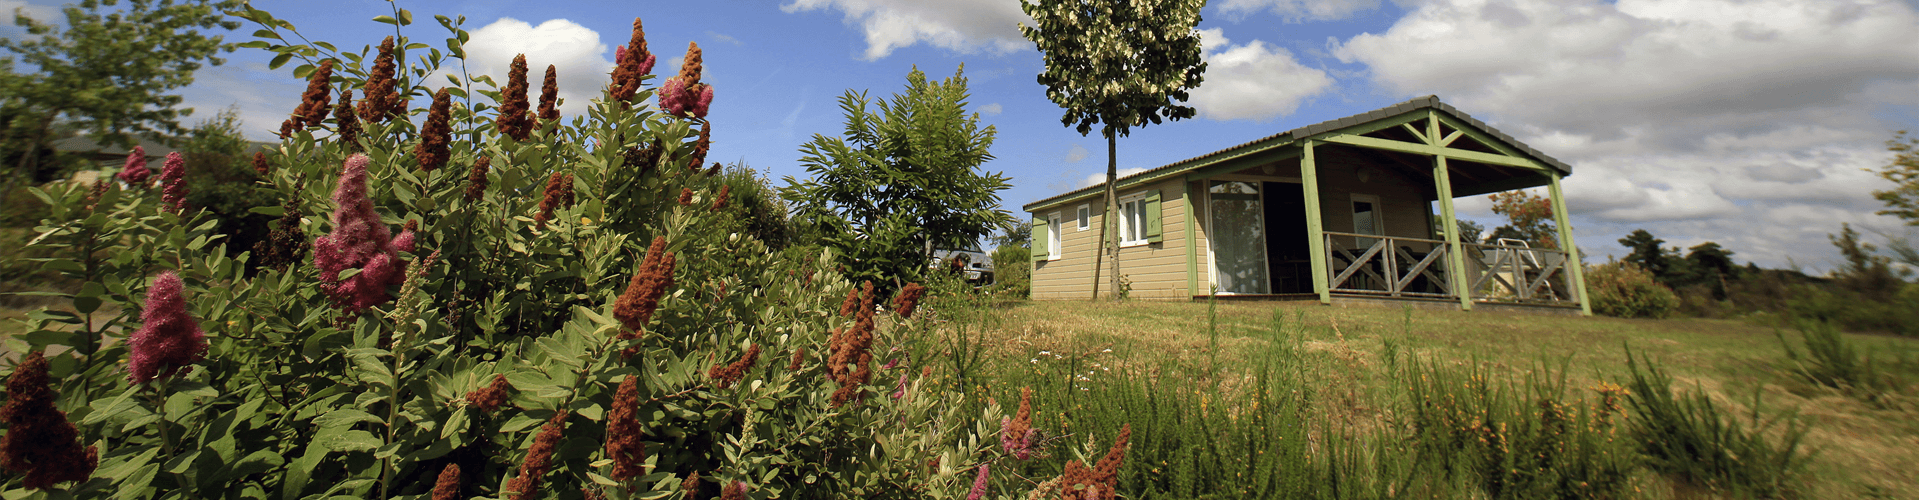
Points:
[[577, 55]]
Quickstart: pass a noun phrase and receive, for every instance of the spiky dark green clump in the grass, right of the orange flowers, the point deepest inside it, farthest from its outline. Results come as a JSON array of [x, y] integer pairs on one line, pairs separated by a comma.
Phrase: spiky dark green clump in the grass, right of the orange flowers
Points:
[[1695, 442]]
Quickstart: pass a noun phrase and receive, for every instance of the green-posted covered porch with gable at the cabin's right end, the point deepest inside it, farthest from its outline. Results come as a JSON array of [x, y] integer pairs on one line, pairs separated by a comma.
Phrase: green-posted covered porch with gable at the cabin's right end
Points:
[[1362, 210]]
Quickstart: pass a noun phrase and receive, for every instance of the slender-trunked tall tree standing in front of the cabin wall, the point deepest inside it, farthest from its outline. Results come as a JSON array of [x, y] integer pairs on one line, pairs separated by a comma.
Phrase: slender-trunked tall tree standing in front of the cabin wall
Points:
[[1116, 64]]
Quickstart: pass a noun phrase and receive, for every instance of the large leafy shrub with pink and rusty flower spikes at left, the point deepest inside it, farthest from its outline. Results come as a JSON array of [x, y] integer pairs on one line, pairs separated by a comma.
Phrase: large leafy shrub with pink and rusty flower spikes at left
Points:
[[456, 336]]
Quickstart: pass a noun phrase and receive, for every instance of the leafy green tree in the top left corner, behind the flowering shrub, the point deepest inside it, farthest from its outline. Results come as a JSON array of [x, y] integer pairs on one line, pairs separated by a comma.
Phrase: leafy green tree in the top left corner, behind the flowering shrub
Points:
[[110, 70]]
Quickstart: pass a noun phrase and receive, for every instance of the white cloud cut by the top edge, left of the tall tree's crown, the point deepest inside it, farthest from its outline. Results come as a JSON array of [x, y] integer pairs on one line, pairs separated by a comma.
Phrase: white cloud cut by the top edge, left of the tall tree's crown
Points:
[[960, 26]]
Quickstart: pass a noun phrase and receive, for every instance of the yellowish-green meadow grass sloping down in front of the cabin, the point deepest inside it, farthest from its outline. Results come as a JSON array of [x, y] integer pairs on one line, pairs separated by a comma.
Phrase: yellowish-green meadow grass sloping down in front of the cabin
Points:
[[1348, 373]]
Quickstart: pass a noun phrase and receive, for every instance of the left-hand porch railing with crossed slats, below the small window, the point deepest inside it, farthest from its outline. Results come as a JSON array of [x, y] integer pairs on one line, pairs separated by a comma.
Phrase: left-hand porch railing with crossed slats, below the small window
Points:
[[1386, 265]]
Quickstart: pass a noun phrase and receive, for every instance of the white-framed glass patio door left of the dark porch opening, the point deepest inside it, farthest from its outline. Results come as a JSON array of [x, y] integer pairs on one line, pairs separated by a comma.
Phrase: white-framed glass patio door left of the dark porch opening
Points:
[[1239, 237]]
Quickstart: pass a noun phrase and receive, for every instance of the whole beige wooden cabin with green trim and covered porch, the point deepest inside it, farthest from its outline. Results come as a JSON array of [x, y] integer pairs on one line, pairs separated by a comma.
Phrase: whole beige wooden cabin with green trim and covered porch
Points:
[[1356, 210]]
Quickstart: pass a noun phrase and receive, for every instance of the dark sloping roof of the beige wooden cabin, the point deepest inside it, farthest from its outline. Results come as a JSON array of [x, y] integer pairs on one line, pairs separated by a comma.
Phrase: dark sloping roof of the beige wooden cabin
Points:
[[1291, 137]]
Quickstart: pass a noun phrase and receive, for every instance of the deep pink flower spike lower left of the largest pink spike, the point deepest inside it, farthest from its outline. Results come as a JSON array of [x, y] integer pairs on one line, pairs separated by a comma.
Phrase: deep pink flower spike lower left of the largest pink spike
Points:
[[170, 340]]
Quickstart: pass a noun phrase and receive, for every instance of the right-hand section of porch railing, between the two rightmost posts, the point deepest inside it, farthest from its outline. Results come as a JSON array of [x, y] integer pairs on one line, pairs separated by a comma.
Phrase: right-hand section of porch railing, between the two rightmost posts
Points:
[[1517, 273]]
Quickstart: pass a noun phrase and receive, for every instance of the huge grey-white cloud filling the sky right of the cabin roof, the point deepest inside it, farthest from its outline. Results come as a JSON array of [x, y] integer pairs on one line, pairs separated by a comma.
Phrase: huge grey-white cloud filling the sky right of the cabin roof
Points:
[[1743, 124]]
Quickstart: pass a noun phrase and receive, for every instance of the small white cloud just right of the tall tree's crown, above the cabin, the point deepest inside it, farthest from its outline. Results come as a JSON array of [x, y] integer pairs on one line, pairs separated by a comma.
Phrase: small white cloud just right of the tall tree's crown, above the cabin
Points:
[[1252, 81]]
